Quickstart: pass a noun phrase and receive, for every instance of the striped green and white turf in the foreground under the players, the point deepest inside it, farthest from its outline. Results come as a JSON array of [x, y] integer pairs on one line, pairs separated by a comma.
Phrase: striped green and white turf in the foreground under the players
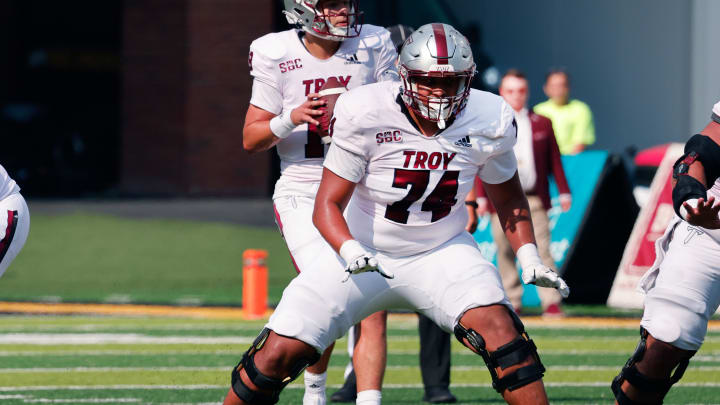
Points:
[[68, 359]]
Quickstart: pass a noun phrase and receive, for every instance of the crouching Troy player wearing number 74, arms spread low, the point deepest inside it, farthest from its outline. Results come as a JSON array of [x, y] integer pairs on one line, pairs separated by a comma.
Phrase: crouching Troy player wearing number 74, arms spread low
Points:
[[413, 148]]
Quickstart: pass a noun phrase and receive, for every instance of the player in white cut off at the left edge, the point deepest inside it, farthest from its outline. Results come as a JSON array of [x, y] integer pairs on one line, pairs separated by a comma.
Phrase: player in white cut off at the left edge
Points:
[[14, 220]]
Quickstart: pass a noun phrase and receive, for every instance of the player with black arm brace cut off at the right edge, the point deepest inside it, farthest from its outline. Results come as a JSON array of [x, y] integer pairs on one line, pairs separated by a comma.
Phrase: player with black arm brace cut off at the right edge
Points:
[[682, 288]]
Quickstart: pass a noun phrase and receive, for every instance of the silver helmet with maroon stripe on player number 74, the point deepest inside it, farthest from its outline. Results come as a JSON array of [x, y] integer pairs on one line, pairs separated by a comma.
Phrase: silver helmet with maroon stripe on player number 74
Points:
[[436, 50]]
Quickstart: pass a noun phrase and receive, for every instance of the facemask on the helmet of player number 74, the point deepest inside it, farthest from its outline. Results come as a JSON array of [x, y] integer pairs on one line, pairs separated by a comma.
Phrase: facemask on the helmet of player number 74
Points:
[[433, 108]]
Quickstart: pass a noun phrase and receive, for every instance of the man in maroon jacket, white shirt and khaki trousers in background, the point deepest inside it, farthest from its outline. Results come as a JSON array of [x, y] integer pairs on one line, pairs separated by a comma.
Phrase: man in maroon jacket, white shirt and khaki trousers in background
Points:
[[538, 157]]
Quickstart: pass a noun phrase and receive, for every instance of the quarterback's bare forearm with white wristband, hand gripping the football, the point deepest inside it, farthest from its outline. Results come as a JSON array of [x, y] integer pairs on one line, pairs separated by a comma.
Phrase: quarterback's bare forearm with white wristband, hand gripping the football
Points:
[[263, 129]]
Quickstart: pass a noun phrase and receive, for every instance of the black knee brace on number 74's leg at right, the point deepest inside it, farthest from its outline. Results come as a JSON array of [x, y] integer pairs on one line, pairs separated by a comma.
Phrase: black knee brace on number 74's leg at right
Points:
[[506, 356]]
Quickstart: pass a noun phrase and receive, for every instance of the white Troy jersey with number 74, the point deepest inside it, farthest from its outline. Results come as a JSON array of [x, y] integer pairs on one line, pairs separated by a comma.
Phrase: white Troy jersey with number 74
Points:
[[411, 192]]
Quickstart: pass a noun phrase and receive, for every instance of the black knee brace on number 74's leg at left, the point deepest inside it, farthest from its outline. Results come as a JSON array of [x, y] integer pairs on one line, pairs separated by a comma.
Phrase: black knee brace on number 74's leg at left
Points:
[[265, 383]]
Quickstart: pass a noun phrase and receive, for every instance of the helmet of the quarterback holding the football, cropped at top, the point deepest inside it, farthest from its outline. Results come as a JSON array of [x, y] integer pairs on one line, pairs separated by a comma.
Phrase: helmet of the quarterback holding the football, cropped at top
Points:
[[306, 15]]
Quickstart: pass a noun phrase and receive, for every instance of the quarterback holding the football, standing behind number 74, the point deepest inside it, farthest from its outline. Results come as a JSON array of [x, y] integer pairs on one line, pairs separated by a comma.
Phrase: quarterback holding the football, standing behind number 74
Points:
[[288, 69]]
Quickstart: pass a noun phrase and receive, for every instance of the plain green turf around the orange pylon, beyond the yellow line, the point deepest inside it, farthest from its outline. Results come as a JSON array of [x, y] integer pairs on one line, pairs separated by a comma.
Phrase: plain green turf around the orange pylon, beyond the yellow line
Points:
[[101, 258]]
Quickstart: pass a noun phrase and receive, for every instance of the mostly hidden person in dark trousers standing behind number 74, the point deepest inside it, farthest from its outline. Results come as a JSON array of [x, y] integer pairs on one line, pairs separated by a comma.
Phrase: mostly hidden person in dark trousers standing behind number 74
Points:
[[434, 342]]
